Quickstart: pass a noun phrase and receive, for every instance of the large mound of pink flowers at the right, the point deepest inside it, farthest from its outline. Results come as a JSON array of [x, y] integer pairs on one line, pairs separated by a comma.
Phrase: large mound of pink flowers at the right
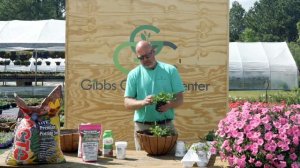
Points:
[[260, 135]]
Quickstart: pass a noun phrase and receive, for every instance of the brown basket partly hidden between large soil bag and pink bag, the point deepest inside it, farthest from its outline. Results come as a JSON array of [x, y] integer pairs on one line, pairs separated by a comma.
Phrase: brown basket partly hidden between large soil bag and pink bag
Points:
[[69, 139]]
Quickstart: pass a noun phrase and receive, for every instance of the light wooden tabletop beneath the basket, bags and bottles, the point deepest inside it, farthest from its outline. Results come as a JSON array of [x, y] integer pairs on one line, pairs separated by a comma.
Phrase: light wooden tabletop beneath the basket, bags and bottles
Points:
[[133, 159]]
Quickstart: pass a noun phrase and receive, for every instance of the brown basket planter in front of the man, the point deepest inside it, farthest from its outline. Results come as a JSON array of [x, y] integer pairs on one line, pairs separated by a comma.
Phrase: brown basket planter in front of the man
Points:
[[155, 145]]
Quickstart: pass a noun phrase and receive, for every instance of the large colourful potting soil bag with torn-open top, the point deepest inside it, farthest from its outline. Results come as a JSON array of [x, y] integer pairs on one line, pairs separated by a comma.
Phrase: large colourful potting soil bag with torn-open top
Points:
[[37, 135]]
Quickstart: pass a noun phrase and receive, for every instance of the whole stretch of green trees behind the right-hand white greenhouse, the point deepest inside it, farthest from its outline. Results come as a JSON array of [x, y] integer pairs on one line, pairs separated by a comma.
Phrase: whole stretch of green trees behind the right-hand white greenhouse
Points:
[[267, 21]]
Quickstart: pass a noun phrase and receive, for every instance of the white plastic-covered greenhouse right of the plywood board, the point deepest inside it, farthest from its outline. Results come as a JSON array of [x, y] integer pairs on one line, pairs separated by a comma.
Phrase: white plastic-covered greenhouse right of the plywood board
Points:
[[261, 65]]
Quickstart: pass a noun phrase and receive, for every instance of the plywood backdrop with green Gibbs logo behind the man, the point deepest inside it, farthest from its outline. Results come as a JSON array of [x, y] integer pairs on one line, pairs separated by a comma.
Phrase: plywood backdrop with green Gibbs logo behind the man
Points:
[[191, 34]]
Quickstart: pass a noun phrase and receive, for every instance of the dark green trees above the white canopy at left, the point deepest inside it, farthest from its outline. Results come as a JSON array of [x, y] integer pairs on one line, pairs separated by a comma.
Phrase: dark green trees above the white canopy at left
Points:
[[32, 9]]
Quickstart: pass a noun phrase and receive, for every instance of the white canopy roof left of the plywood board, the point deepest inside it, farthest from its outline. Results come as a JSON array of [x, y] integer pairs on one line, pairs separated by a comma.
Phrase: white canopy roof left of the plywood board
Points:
[[47, 35]]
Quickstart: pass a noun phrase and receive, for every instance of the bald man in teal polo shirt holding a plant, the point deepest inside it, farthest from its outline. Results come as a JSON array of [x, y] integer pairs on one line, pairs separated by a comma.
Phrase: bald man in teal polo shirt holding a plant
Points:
[[146, 80]]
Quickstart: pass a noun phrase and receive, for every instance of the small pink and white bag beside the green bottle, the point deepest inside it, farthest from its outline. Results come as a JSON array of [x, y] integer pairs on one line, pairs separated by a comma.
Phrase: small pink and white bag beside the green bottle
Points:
[[89, 141]]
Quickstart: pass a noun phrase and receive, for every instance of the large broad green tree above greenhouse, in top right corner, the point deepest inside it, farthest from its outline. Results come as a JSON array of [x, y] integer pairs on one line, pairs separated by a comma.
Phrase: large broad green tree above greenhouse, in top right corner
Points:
[[274, 20]]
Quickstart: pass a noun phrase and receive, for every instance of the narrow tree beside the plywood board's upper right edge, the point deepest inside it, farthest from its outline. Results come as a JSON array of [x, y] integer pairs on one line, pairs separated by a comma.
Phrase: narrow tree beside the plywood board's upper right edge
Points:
[[236, 21]]
